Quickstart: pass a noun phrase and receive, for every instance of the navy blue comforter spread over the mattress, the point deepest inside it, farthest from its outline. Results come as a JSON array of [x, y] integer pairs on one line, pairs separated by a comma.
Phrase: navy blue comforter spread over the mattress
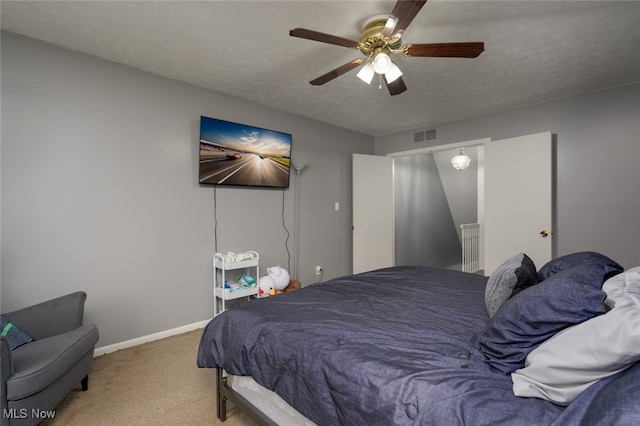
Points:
[[393, 346]]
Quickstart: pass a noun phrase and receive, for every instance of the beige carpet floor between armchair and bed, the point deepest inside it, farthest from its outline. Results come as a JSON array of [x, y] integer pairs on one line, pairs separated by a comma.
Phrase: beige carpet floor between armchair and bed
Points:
[[157, 383]]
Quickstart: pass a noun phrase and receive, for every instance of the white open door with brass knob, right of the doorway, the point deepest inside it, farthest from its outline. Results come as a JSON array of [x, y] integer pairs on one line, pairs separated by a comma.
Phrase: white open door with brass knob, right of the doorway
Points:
[[518, 196]]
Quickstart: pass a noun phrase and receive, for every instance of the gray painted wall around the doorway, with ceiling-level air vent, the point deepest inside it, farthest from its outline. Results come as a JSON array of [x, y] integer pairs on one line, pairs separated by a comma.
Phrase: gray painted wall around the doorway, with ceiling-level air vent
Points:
[[596, 173]]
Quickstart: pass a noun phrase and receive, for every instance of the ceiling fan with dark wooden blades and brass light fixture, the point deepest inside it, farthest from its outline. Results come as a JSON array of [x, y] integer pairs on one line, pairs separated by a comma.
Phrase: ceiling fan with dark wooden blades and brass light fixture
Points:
[[381, 37]]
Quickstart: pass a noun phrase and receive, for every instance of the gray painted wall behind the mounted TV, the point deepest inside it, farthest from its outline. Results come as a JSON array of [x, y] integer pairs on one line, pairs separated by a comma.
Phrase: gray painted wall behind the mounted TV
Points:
[[100, 191]]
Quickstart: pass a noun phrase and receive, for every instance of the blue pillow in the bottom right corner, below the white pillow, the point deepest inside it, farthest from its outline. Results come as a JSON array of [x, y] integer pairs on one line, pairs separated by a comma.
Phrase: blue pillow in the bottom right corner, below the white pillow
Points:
[[617, 402]]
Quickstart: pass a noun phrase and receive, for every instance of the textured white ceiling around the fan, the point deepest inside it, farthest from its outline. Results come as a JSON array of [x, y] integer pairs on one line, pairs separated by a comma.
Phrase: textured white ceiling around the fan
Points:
[[535, 51]]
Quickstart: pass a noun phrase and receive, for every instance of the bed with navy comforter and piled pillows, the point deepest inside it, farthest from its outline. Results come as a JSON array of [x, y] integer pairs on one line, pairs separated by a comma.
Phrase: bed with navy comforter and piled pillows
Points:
[[419, 345]]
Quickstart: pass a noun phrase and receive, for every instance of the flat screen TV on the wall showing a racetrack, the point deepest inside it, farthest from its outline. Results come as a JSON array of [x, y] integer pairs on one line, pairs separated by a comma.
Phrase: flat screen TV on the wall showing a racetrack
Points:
[[241, 155]]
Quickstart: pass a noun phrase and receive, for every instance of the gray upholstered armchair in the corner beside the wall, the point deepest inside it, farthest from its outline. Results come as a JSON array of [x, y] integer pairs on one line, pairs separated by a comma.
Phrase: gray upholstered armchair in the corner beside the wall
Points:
[[37, 376]]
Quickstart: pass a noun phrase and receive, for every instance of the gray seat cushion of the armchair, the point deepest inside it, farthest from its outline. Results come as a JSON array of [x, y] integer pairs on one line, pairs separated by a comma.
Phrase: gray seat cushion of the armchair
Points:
[[42, 362]]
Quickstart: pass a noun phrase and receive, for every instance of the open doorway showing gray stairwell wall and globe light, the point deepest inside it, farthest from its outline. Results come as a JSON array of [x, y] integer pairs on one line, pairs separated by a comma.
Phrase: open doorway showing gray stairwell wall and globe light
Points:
[[432, 200]]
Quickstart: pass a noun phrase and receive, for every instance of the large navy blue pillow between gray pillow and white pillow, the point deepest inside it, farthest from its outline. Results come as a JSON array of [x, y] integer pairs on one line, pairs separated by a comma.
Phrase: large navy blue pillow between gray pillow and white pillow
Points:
[[532, 316]]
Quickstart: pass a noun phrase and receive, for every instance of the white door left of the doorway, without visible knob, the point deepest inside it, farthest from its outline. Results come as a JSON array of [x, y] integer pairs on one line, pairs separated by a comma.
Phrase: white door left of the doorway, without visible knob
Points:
[[373, 222]]
